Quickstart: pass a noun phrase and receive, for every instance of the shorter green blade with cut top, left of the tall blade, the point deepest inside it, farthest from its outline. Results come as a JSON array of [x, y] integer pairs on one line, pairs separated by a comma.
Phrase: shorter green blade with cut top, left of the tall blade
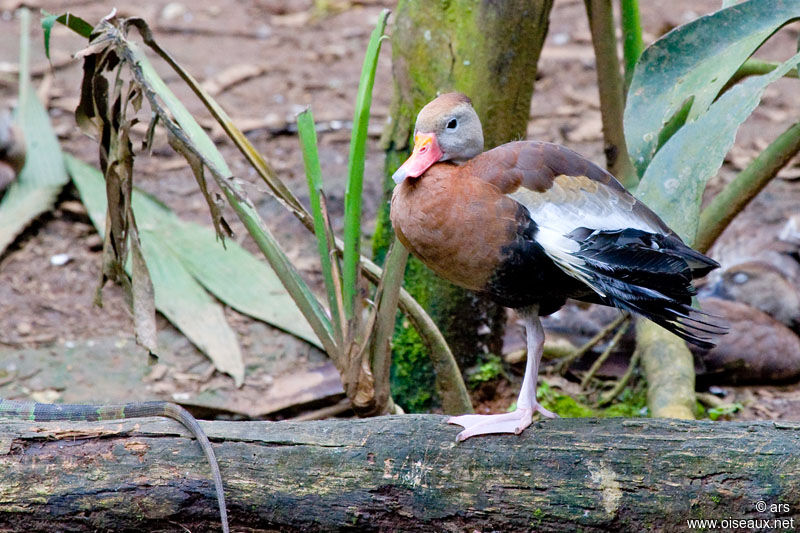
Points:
[[322, 229]]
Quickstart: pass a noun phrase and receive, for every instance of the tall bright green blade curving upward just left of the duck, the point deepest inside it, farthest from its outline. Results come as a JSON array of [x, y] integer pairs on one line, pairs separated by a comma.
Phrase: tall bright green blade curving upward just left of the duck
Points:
[[355, 168]]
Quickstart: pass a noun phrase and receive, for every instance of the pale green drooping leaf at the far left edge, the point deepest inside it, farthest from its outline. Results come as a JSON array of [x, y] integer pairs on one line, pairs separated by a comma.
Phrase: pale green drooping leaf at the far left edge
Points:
[[43, 175]]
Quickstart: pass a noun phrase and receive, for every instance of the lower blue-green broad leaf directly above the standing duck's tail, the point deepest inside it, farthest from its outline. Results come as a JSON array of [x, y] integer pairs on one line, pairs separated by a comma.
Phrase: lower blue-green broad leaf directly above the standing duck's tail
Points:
[[674, 181]]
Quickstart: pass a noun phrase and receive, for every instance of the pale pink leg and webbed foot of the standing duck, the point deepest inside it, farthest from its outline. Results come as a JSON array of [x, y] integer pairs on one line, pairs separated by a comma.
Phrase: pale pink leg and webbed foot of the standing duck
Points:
[[519, 419]]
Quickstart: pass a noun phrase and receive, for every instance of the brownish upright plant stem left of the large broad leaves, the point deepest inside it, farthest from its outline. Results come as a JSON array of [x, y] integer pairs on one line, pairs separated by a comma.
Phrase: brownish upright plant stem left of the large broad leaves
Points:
[[610, 86]]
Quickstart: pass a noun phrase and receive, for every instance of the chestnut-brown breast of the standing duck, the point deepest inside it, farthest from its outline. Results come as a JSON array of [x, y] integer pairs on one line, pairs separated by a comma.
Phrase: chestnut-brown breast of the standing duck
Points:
[[455, 223]]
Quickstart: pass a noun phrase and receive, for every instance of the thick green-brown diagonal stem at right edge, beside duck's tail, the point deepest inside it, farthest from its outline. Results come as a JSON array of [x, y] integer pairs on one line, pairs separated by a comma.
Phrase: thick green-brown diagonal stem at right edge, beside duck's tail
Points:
[[736, 195]]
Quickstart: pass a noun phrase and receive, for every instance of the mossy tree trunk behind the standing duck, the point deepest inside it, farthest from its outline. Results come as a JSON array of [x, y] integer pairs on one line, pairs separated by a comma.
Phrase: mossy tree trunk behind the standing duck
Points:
[[487, 50]]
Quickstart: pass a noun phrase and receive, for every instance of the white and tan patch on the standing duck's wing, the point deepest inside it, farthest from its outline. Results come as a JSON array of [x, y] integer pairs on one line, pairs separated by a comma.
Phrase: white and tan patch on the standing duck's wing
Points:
[[577, 202]]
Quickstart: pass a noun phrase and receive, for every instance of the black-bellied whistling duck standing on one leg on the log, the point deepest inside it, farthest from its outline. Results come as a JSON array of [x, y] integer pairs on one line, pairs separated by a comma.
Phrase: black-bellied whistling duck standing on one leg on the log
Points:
[[531, 224]]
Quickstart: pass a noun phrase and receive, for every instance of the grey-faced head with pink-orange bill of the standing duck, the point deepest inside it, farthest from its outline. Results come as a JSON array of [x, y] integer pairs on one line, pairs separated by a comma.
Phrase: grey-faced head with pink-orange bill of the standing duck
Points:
[[447, 129]]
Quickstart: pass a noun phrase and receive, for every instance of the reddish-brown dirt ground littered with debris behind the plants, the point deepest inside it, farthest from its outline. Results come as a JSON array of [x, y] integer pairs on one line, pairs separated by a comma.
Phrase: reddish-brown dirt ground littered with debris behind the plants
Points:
[[305, 54]]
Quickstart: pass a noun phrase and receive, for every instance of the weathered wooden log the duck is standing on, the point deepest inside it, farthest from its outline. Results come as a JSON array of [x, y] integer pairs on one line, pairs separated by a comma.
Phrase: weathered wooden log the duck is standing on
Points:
[[397, 473]]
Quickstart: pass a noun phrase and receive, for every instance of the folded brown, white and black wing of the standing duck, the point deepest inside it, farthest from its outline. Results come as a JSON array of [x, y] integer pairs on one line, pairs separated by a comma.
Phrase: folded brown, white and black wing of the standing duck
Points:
[[598, 233]]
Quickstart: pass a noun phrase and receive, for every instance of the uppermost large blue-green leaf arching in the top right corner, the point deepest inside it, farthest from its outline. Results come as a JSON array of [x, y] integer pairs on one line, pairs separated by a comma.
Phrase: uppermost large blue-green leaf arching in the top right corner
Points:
[[691, 64]]
